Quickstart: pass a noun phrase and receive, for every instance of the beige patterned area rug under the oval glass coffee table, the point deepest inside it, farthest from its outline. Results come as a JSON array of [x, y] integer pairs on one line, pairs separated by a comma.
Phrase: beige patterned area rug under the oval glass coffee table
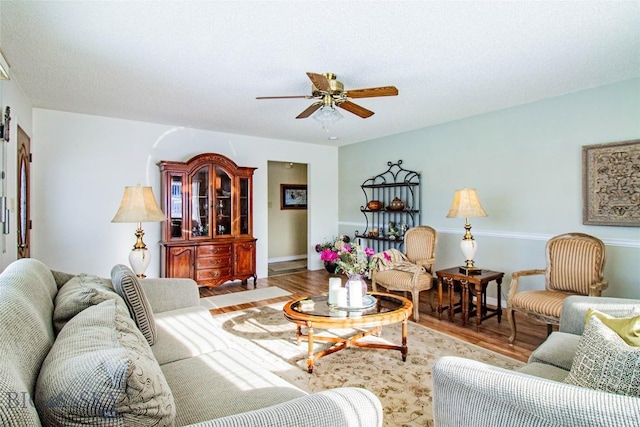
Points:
[[404, 388]]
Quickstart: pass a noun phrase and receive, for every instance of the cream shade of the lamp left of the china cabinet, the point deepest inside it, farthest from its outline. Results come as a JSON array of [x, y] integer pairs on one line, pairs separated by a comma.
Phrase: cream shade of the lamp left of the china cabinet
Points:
[[138, 205]]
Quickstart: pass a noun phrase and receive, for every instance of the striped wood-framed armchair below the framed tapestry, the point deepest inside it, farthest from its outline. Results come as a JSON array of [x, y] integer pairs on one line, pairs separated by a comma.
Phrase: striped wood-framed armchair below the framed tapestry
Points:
[[575, 265]]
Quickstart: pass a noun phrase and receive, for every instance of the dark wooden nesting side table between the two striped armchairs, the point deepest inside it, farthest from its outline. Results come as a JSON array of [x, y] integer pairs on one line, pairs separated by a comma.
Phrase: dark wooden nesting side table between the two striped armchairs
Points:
[[474, 283]]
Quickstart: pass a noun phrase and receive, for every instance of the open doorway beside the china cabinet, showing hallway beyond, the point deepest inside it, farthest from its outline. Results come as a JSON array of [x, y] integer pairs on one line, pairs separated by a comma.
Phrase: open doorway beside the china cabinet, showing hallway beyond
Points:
[[287, 227]]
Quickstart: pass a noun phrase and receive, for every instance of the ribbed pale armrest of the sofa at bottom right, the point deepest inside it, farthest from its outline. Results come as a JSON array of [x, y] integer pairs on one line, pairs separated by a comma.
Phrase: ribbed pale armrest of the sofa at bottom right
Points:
[[470, 393]]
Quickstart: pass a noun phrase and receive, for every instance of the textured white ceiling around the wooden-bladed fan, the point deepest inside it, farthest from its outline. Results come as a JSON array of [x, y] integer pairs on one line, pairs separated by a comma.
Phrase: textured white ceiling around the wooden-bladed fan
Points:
[[201, 64]]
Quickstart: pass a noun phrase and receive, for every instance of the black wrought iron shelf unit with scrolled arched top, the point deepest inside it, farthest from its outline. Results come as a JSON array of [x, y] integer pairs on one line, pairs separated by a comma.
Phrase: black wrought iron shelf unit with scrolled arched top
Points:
[[394, 183]]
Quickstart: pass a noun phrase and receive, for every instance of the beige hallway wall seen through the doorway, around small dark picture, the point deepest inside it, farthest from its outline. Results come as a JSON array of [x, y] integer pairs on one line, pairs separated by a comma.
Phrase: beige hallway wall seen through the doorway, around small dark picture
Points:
[[287, 227]]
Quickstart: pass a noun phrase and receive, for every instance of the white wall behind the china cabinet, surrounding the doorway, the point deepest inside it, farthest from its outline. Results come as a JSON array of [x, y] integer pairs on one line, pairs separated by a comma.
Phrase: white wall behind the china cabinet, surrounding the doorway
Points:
[[82, 164]]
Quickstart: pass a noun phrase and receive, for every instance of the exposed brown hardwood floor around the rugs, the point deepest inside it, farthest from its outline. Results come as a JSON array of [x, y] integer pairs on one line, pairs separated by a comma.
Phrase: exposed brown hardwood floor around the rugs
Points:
[[492, 335]]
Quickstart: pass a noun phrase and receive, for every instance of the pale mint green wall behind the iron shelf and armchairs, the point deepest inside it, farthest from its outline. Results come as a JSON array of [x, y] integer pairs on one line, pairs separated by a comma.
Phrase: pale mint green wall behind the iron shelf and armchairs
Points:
[[526, 165]]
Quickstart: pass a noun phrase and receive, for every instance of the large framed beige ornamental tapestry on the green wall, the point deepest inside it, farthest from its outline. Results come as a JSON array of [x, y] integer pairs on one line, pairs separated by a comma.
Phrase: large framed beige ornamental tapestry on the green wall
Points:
[[611, 184]]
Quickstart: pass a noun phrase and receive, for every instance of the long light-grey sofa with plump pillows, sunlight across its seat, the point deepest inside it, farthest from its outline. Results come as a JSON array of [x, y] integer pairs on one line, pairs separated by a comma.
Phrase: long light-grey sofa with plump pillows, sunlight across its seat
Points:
[[71, 354]]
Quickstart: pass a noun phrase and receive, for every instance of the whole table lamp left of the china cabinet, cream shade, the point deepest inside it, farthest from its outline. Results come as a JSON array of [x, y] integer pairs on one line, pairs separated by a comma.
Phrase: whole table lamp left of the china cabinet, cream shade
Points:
[[139, 205]]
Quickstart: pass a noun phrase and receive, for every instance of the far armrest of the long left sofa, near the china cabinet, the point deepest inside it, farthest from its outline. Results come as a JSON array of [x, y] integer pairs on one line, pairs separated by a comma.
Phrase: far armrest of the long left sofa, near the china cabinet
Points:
[[171, 294]]
